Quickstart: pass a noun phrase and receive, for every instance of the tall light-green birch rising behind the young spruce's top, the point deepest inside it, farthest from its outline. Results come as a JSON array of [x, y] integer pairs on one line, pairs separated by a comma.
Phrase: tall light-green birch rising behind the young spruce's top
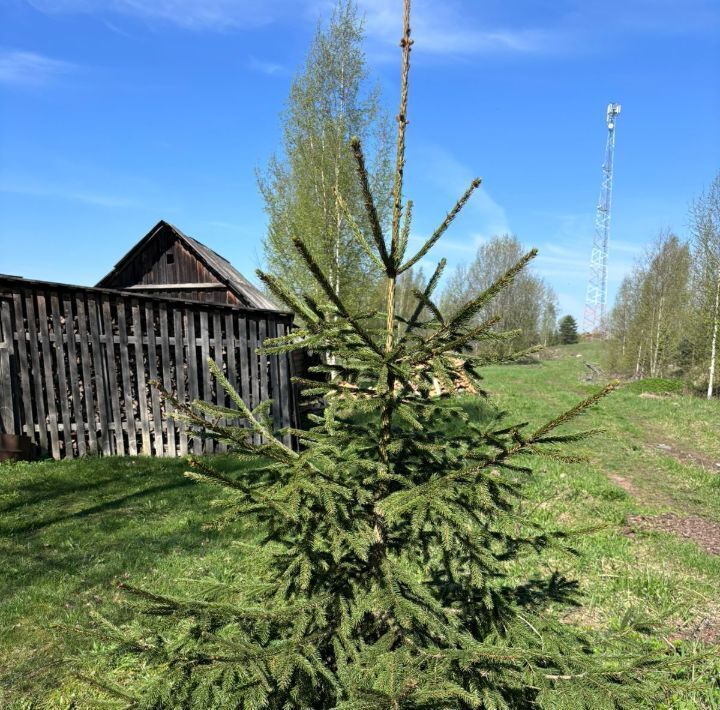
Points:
[[310, 189]]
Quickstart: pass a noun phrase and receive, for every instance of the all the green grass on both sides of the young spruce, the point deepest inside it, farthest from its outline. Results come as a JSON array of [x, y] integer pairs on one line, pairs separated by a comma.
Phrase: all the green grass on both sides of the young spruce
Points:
[[651, 489]]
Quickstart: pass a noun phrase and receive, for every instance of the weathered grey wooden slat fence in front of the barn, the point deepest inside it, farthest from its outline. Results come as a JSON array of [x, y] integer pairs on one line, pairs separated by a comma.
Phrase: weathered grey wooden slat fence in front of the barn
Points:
[[75, 364]]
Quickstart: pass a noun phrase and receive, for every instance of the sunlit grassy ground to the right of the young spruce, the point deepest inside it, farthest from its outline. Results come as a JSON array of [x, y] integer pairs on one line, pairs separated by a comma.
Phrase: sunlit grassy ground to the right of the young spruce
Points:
[[630, 577]]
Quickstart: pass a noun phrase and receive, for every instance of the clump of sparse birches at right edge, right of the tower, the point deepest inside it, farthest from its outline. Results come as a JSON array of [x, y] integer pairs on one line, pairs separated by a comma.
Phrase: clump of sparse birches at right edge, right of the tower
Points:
[[666, 316]]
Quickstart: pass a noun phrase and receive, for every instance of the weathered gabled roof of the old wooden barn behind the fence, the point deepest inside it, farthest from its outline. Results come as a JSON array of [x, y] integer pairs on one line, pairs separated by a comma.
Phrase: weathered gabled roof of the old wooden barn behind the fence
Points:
[[221, 268]]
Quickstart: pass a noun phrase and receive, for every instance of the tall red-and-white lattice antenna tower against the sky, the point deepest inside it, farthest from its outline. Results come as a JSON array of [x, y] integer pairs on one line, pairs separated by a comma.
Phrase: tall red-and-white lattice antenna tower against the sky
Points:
[[594, 320]]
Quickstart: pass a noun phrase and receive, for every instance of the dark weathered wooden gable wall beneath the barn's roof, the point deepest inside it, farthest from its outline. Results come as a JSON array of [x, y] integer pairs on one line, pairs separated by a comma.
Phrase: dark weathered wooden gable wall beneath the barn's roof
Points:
[[166, 261]]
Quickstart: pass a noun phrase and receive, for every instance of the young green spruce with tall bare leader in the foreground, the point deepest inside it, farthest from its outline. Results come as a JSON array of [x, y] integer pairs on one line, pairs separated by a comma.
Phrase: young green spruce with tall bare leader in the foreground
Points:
[[384, 575]]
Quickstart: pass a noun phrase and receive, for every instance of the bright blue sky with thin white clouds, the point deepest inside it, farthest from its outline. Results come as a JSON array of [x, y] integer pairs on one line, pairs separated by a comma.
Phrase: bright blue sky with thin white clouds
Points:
[[117, 113]]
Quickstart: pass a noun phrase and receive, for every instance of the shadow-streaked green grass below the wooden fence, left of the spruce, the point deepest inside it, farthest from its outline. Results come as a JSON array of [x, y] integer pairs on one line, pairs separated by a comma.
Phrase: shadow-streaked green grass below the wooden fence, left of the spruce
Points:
[[67, 530]]
